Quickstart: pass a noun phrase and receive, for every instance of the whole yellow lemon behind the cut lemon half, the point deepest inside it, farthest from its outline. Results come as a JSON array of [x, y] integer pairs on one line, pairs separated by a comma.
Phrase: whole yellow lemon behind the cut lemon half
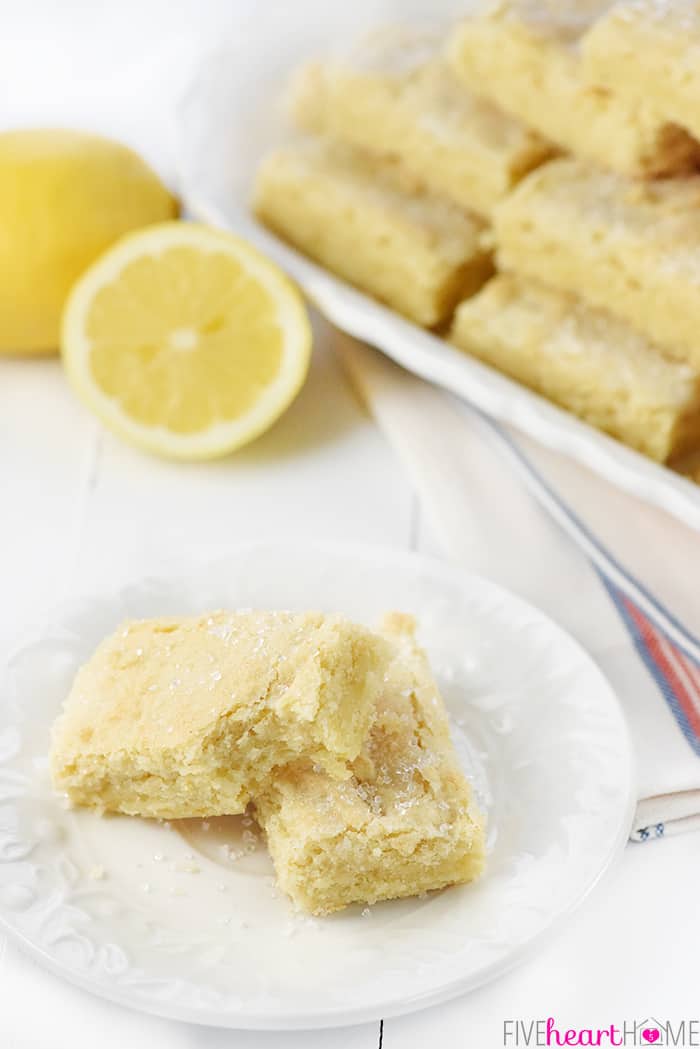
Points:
[[66, 197]]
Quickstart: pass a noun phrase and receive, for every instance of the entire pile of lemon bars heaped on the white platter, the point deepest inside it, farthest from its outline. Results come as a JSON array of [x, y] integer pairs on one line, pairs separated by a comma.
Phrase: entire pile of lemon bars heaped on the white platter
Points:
[[517, 185]]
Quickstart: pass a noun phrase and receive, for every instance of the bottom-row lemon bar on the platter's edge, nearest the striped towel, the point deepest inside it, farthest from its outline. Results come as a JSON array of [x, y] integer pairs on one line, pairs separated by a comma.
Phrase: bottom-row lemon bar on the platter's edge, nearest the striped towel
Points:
[[586, 361]]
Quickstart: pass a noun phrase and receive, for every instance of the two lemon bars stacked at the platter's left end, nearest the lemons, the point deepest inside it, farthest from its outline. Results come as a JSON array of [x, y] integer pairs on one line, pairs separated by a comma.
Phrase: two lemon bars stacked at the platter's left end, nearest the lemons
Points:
[[396, 182]]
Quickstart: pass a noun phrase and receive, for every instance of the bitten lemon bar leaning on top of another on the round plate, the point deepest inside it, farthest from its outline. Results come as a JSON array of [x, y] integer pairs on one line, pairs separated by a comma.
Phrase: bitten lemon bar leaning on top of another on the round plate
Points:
[[180, 718]]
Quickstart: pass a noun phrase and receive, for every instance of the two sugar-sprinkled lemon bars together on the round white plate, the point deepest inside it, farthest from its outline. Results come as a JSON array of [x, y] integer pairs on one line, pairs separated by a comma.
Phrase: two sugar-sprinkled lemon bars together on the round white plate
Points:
[[337, 737]]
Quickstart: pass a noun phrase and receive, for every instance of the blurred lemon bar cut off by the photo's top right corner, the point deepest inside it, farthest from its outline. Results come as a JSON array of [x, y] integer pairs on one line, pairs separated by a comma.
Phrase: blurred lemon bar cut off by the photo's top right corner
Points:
[[648, 52]]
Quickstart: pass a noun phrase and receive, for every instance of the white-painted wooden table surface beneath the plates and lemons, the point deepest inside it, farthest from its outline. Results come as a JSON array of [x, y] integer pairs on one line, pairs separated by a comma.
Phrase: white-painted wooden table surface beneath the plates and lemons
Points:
[[79, 511]]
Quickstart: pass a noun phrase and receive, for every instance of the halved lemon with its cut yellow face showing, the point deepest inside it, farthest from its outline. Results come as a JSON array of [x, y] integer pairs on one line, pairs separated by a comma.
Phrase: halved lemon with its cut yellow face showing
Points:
[[186, 341]]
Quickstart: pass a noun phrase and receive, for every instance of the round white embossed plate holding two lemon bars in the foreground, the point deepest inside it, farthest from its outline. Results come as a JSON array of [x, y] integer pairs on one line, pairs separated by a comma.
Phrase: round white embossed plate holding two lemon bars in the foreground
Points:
[[166, 918]]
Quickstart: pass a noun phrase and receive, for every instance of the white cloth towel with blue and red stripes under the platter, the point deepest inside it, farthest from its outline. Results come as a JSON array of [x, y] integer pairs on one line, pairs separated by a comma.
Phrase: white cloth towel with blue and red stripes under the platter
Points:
[[622, 576]]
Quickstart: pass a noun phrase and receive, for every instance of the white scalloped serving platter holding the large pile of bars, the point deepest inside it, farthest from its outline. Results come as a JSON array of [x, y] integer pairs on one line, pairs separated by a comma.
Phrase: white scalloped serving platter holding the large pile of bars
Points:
[[234, 115]]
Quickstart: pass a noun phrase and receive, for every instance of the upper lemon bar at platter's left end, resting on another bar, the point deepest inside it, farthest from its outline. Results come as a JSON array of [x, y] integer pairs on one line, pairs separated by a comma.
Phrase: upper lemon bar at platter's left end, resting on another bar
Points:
[[391, 97]]
